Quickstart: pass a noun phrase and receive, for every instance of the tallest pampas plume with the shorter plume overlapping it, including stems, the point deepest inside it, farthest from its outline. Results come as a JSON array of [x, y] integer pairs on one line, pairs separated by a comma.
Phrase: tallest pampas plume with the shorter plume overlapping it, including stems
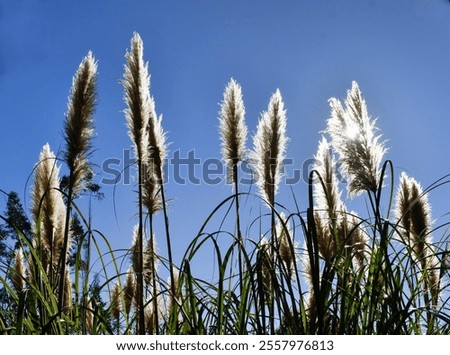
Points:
[[149, 140]]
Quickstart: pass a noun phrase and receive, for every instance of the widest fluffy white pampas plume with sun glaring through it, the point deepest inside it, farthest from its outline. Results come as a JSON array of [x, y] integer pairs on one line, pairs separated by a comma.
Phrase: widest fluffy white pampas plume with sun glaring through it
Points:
[[353, 135]]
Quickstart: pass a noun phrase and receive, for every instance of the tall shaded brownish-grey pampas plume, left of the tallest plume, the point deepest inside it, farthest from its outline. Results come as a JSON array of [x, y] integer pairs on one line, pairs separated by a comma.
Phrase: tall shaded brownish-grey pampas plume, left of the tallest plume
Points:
[[78, 125]]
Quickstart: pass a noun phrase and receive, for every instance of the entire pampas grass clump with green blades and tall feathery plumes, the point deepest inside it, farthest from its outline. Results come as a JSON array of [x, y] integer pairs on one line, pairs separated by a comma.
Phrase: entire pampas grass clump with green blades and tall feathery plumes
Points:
[[321, 270]]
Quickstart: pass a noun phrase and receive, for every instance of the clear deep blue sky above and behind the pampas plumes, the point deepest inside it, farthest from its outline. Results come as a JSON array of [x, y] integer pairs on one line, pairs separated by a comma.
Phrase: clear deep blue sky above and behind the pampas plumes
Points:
[[311, 50]]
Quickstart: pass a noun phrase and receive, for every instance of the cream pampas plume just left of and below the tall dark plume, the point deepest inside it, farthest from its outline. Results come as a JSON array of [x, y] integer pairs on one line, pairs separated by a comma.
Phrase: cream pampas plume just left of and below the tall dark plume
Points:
[[48, 208]]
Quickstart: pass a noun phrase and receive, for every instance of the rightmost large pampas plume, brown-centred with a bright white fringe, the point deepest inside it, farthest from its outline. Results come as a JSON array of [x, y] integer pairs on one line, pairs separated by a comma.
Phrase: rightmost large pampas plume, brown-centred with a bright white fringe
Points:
[[413, 212]]
